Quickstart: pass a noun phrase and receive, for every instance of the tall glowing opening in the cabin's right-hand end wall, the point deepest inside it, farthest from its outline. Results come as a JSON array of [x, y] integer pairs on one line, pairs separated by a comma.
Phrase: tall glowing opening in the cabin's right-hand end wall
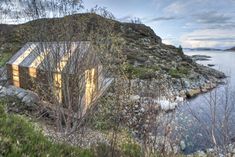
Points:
[[90, 86]]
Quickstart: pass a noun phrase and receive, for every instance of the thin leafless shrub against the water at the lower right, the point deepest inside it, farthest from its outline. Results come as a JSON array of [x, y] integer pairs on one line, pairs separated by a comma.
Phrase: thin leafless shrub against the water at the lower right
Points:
[[216, 118]]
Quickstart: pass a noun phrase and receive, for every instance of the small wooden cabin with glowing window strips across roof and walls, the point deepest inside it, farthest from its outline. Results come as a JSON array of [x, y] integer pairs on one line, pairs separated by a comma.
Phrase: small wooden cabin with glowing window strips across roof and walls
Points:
[[58, 70]]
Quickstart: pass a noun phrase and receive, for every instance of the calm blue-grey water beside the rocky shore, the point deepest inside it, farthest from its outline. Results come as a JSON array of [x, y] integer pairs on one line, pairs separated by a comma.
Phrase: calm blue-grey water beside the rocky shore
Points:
[[194, 131]]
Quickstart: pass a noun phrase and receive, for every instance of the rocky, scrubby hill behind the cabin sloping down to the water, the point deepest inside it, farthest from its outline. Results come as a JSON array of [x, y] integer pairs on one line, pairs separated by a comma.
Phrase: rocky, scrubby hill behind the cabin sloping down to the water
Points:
[[147, 56]]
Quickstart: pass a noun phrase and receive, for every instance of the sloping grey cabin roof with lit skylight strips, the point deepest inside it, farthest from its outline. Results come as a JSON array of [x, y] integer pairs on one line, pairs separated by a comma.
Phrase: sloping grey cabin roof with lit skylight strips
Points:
[[55, 55]]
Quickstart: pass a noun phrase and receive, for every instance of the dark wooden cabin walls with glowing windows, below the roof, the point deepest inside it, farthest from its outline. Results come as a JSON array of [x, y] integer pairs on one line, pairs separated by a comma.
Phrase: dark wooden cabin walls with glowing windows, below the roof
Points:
[[82, 87]]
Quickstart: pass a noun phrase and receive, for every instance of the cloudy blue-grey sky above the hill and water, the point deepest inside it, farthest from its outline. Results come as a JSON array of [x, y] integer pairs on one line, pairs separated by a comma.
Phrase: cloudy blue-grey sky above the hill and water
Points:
[[190, 23]]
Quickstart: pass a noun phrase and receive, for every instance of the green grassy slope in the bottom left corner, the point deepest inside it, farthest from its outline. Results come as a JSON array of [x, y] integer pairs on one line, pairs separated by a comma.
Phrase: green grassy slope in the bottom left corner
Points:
[[18, 137]]
